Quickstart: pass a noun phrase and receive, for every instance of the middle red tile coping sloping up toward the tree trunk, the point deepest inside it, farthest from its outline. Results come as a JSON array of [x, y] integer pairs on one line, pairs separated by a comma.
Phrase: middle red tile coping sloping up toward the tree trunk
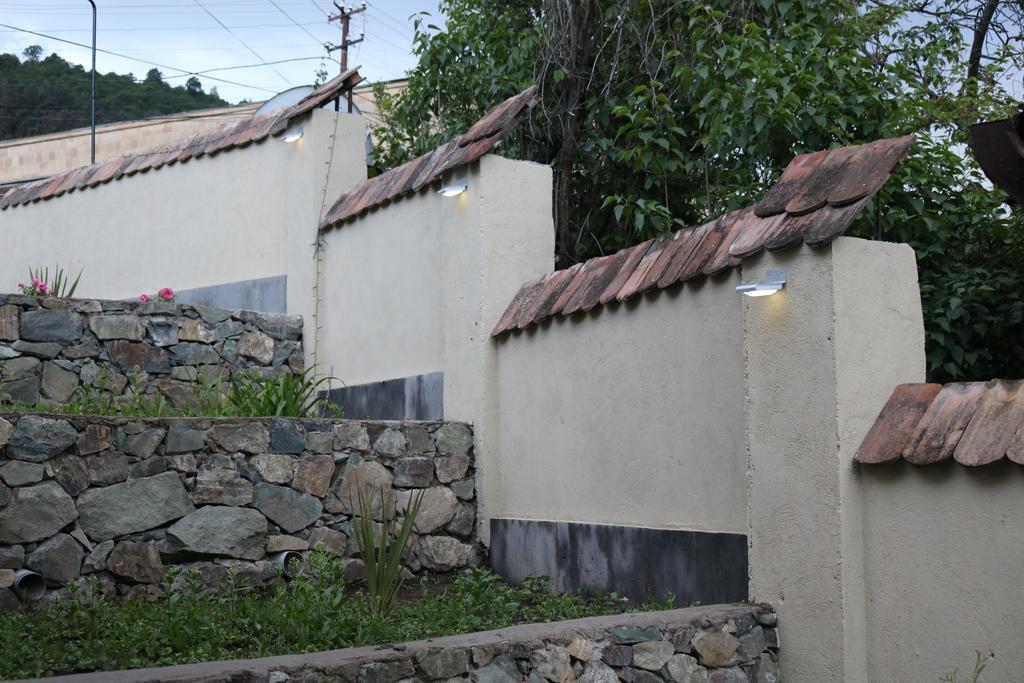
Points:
[[423, 172]]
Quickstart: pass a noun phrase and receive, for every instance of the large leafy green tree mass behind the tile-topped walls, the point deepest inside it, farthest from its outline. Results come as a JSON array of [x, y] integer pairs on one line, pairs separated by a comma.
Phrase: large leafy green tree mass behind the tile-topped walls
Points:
[[659, 114]]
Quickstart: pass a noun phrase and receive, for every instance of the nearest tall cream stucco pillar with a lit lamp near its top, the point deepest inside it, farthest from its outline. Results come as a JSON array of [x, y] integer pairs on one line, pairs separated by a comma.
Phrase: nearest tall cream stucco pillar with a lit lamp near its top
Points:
[[823, 357]]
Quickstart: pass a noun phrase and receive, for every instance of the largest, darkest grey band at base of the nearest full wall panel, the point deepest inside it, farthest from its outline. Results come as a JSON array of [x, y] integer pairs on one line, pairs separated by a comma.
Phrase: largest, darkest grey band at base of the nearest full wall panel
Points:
[[634, 562]]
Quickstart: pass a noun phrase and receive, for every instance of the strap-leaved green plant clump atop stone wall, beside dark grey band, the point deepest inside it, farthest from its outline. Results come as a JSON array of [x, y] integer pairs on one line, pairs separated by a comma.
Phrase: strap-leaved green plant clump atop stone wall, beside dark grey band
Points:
[[289, 395]]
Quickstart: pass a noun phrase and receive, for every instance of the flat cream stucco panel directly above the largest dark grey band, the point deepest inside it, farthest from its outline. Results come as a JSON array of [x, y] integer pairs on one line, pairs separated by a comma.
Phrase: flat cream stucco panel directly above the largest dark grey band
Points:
[[630, 415]]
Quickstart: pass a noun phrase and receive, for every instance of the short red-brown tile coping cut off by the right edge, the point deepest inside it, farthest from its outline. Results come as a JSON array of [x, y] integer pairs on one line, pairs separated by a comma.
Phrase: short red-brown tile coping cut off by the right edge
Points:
[[975, 423]]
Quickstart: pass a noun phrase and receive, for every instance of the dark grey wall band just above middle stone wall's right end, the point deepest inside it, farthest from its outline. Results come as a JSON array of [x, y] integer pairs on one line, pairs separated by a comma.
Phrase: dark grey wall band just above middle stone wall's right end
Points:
[[419, 398]]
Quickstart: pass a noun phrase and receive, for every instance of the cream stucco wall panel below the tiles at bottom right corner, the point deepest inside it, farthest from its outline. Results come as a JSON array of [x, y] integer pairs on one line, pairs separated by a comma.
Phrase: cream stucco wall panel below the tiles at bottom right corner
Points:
[[944, 553]]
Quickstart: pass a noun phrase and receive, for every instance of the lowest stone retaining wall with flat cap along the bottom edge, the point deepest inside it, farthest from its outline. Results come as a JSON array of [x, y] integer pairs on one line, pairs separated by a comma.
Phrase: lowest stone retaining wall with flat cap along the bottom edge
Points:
[[736, 644]]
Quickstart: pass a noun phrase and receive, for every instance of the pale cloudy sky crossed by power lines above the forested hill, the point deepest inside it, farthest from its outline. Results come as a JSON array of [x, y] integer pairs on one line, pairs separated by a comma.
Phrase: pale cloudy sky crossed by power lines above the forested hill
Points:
[[188, 35]]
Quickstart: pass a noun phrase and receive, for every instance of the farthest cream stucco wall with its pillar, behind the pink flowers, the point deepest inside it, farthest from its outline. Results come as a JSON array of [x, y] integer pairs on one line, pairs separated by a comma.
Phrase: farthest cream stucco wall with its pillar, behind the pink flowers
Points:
[[243, 215]]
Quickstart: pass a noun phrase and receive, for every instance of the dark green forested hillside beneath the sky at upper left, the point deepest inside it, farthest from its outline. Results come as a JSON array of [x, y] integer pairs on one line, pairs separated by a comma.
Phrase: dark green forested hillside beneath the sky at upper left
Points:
[[47, 96]]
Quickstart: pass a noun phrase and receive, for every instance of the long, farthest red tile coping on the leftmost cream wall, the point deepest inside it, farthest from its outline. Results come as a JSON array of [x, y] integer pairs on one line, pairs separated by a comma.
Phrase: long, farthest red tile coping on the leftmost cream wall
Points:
[[223, 139]]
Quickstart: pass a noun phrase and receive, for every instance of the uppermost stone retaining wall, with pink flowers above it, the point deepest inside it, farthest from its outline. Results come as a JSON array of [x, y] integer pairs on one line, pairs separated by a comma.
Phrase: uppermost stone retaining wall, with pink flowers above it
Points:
[[50, 349]]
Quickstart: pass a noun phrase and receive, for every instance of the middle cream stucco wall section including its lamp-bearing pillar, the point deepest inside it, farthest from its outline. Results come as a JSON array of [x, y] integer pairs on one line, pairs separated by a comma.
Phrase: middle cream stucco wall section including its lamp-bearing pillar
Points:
[[416, 287]]
